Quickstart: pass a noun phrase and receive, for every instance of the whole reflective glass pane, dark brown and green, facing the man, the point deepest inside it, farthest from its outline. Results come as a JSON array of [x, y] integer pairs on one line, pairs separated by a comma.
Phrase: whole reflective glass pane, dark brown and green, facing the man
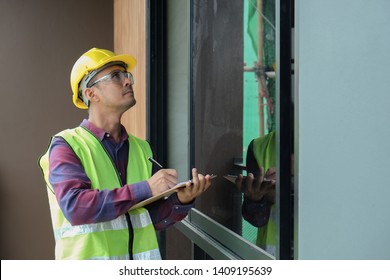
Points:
[[233, 101]]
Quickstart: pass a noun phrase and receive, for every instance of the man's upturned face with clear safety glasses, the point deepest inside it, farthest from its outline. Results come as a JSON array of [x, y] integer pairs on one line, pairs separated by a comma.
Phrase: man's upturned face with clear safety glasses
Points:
[[114, 91]]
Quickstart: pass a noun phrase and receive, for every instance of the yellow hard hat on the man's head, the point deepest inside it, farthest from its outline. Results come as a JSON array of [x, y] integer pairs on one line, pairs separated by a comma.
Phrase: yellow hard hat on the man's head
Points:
[[91, 63]]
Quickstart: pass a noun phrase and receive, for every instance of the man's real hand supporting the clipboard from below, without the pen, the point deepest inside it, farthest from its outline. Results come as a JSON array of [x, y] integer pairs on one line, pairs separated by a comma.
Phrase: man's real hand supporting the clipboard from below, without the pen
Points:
[[195, 188]]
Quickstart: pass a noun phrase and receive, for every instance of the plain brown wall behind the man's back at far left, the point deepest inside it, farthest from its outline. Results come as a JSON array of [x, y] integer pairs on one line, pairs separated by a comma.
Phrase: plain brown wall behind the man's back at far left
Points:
[[40, 40]]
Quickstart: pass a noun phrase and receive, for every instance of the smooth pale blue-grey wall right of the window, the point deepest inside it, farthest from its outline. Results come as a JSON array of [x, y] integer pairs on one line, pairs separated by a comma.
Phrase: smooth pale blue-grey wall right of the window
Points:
[[342, 93]]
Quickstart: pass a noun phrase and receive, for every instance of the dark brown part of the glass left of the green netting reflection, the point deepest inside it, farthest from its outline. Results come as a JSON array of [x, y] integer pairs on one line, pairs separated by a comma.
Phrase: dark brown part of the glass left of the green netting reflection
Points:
[[217, 103]]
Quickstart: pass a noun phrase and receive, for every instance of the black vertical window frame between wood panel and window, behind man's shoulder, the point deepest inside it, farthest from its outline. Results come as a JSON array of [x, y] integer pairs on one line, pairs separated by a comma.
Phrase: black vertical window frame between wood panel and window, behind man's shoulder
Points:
[[156, 86]]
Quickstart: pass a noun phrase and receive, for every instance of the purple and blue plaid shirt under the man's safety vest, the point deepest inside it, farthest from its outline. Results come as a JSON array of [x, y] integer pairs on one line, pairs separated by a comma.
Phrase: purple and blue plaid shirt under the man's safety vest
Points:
[[83, 205]]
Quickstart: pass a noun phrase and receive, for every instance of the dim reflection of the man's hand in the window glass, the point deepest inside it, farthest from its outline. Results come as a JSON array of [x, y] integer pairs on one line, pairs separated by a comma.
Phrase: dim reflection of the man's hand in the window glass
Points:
[[256, 189]]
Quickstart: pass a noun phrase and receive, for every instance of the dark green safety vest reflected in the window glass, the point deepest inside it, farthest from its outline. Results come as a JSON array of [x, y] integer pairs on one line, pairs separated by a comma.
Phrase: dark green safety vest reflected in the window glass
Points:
[[265, 153]]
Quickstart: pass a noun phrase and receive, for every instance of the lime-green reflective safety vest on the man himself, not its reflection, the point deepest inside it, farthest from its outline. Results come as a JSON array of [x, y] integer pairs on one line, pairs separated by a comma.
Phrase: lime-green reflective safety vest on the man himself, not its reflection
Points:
[[112, 239]]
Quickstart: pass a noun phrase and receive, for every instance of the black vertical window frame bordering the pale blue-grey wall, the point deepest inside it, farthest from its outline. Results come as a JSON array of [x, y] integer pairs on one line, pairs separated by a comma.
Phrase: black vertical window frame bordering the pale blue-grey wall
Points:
[[284, 133]]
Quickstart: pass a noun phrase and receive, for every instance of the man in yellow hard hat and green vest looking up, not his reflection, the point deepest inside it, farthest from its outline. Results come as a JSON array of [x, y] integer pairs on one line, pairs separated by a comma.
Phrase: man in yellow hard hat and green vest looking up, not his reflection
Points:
[[97, 171]]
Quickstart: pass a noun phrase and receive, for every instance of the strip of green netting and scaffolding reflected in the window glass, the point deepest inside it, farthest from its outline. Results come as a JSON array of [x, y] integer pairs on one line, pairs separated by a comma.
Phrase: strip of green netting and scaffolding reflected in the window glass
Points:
[[259, 119]]
